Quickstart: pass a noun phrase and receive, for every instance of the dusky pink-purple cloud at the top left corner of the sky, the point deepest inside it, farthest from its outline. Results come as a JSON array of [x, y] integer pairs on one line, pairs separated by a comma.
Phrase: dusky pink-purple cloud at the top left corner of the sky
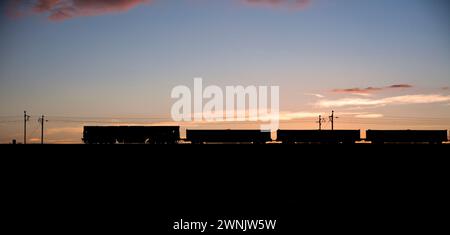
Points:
[[58, 10]]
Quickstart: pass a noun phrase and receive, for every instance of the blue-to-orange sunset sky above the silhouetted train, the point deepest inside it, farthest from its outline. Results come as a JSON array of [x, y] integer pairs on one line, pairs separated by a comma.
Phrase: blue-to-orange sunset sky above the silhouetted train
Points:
[[379, 64]]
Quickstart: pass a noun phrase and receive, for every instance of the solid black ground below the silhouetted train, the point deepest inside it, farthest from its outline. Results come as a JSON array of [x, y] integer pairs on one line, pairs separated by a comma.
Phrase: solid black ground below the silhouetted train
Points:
[[143, 189]]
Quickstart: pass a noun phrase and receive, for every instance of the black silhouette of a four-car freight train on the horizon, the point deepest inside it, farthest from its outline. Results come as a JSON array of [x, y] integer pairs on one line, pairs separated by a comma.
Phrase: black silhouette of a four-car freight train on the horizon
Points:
[[171, 135]]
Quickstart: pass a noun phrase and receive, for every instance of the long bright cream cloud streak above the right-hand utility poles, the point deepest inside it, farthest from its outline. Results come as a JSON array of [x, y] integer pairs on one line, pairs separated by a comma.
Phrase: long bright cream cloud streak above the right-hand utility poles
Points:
[[405, 99]]
